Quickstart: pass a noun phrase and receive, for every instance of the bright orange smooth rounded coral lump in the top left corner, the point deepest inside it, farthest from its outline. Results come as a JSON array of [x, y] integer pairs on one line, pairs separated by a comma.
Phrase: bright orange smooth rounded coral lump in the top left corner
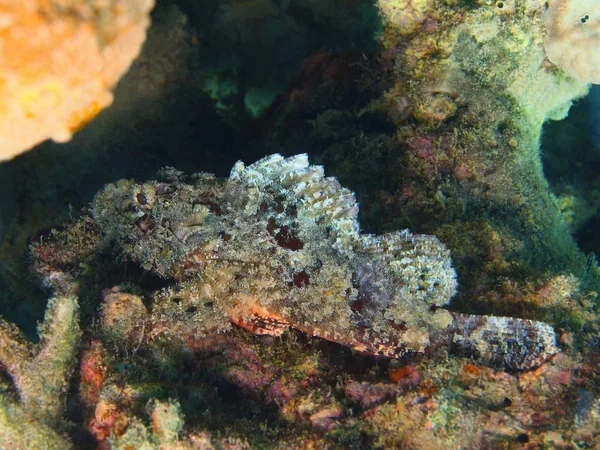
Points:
[[60, 60]]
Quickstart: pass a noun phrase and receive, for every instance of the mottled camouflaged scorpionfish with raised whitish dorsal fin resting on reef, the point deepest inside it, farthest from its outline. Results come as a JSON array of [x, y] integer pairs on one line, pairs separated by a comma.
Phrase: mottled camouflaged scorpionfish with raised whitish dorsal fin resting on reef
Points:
[[277, 245]]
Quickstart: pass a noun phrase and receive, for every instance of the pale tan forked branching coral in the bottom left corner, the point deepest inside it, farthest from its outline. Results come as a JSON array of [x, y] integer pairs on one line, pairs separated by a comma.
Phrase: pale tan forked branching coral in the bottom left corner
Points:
[[33, 418]]
